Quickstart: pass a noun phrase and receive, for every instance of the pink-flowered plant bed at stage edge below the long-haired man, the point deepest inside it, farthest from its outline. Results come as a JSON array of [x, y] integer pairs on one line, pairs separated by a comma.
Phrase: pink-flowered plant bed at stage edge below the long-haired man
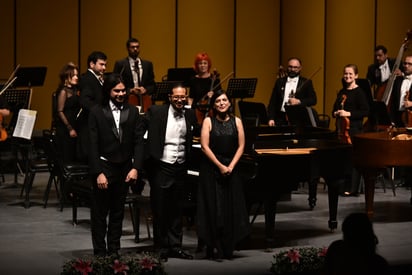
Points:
[[132, 264]]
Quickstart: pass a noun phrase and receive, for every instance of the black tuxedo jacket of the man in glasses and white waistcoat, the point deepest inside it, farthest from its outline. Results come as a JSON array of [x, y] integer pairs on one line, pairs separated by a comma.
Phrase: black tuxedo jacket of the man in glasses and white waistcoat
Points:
[[157, 121]]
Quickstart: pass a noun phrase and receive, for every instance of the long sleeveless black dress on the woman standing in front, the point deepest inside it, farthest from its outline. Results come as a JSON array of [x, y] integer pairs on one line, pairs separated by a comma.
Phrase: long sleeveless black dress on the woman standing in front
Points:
[[222, 217]]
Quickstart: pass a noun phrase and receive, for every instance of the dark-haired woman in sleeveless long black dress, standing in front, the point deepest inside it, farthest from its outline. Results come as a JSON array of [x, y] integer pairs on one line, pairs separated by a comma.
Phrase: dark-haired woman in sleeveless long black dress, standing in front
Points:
[[222, 216]]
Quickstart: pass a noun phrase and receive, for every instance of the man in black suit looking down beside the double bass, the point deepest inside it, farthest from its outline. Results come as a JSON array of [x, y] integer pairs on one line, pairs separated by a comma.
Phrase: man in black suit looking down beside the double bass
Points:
[[379, 72]]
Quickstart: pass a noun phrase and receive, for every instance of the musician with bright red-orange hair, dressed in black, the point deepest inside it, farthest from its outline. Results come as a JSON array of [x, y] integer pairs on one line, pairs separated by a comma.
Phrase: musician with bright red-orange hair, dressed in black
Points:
[[202, 85]]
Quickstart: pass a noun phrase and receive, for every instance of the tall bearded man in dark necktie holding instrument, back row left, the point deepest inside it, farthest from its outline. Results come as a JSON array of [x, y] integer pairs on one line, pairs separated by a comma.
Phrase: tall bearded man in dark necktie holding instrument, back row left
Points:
[[138, 76]]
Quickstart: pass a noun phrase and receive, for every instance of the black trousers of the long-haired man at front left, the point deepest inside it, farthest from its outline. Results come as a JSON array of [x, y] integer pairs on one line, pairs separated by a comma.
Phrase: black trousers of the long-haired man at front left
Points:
[[109, 203]]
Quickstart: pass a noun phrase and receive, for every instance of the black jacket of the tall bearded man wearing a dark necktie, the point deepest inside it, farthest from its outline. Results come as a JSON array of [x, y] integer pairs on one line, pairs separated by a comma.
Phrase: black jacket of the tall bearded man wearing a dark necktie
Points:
[[147, 80]]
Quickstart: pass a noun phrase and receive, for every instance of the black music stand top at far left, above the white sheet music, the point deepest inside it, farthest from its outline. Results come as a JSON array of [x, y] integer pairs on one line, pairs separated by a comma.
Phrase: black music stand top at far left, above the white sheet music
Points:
[[30, 76]]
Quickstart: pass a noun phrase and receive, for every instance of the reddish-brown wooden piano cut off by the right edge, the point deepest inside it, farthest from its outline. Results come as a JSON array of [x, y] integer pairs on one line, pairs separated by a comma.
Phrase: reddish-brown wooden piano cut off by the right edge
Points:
[[375, 151]]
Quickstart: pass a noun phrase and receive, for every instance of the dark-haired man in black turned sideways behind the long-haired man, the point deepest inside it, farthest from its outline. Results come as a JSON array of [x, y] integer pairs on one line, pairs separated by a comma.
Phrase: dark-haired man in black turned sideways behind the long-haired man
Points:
[[90, 86]]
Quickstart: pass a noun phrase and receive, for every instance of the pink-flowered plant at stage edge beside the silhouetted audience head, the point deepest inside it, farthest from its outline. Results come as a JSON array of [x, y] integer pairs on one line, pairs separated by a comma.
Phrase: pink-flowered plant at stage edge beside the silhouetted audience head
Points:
[[299, 260]]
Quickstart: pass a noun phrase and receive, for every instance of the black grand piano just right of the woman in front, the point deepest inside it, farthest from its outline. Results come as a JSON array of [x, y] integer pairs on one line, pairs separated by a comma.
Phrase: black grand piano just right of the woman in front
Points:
[[282, 157]]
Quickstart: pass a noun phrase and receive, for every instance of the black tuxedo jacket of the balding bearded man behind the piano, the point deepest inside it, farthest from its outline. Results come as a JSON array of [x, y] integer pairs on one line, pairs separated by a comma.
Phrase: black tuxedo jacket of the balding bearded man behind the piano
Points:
[[304, 92]]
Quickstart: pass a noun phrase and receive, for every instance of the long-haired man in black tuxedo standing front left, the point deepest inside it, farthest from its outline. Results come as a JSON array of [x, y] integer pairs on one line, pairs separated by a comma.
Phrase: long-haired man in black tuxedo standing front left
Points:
[[115, 156]]
